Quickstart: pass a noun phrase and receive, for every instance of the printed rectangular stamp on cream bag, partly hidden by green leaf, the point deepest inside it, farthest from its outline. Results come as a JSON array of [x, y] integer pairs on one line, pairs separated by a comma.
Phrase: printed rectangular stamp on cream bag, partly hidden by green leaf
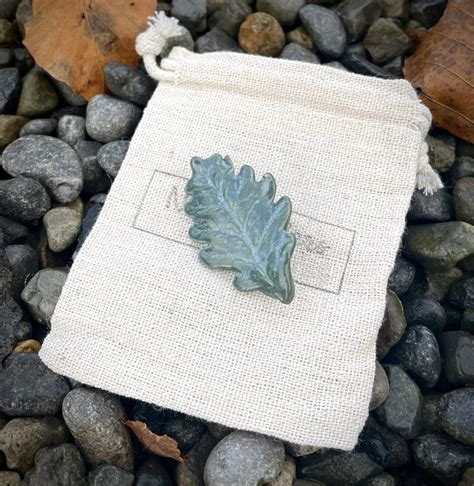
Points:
[[309, 271]]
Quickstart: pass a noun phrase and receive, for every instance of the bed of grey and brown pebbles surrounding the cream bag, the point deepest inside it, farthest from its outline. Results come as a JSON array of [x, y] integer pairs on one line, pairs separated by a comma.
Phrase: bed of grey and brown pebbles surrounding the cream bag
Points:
[[59, 157]]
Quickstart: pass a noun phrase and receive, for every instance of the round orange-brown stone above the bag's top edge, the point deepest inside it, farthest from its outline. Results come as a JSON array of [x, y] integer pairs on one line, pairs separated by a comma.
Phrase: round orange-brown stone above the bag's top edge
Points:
[[261, 34]]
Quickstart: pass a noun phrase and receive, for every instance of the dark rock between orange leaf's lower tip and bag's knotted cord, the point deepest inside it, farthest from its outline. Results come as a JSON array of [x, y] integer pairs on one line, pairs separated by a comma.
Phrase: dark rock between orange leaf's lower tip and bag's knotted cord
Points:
[[128, 83]]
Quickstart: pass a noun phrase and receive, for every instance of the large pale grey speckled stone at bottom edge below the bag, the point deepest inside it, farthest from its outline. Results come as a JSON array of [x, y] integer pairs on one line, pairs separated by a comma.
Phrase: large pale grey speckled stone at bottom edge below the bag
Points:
[[244, 458]]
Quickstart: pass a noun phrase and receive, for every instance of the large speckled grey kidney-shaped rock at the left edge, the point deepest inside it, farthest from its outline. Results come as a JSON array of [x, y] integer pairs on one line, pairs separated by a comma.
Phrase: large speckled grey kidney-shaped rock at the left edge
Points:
[[49, 160]]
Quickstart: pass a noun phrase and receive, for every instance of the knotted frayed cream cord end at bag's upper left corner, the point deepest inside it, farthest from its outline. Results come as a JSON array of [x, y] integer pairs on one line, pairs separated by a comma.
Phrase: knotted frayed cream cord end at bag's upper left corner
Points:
[[151, 42]]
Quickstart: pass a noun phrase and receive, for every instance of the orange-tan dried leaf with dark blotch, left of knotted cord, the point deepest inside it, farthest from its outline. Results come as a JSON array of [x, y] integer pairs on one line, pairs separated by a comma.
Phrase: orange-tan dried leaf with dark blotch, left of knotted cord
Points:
[[74, 40]]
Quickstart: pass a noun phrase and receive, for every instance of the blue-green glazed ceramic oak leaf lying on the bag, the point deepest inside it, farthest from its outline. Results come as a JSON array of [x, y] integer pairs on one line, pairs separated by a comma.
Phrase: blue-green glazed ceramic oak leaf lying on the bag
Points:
[[242, 228]]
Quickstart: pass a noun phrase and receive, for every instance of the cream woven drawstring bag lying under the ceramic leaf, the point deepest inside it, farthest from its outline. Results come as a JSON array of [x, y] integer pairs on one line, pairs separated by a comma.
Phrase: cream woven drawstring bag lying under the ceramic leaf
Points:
[[142, 317]]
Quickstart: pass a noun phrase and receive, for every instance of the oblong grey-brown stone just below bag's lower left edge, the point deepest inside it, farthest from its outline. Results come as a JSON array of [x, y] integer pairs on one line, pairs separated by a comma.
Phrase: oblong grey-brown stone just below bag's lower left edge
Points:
[[94, 419]]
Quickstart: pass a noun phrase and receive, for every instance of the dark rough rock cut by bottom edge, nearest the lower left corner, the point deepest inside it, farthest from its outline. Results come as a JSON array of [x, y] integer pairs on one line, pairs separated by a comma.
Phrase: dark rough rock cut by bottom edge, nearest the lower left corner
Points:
[[57, 466]]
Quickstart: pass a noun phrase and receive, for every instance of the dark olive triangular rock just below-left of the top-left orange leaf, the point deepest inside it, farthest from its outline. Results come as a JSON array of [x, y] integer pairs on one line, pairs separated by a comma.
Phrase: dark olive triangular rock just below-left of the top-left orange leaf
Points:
[[37, 95]]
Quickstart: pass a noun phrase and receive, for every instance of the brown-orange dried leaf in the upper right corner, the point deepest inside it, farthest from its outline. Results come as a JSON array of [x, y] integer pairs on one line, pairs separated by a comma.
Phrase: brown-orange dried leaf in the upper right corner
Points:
[[442, 68]]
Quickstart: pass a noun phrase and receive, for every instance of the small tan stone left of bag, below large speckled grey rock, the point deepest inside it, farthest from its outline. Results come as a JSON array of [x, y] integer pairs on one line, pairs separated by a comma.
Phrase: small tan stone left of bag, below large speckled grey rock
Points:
[[63, 226]]
